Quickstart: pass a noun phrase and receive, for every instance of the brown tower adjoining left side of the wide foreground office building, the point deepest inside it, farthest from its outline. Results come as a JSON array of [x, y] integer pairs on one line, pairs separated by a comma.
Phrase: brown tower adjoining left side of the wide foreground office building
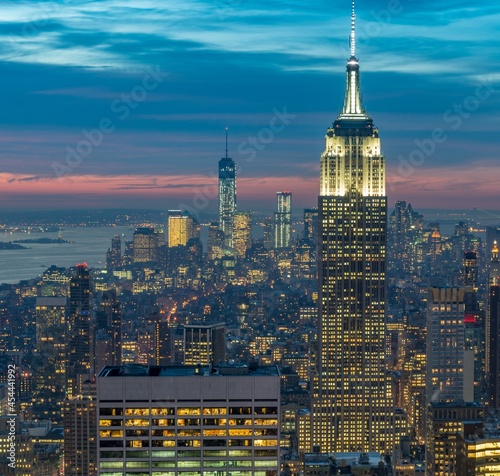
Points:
[[80, 433]]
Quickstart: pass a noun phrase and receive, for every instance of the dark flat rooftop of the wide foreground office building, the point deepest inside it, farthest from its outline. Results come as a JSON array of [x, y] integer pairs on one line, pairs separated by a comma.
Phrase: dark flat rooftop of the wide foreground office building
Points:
[[140, 370]]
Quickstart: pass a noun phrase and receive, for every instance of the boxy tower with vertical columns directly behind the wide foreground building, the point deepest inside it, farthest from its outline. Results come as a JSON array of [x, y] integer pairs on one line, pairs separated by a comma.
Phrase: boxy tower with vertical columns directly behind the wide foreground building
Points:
[[204, 344]]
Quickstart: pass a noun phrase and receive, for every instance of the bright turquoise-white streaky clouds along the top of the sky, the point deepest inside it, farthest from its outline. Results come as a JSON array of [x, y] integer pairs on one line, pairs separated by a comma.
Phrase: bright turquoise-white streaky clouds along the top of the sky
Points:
[[121, 34]]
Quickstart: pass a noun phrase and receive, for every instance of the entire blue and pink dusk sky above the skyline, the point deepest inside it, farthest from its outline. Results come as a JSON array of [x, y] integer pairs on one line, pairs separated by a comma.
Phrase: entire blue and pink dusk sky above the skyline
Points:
[[120, 103]]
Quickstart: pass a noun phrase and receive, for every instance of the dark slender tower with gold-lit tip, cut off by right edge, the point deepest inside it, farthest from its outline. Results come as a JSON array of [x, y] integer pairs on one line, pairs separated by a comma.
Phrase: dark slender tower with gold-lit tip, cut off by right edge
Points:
[[493, 331]]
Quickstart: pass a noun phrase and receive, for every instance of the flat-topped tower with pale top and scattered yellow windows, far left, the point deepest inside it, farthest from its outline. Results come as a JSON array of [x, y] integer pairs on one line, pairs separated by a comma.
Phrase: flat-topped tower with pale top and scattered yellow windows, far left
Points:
[[49, 361]]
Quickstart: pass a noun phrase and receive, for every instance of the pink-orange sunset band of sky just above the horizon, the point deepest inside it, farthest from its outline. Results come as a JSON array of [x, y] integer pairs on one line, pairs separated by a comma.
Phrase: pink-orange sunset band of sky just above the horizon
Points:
[[426, 187]]
